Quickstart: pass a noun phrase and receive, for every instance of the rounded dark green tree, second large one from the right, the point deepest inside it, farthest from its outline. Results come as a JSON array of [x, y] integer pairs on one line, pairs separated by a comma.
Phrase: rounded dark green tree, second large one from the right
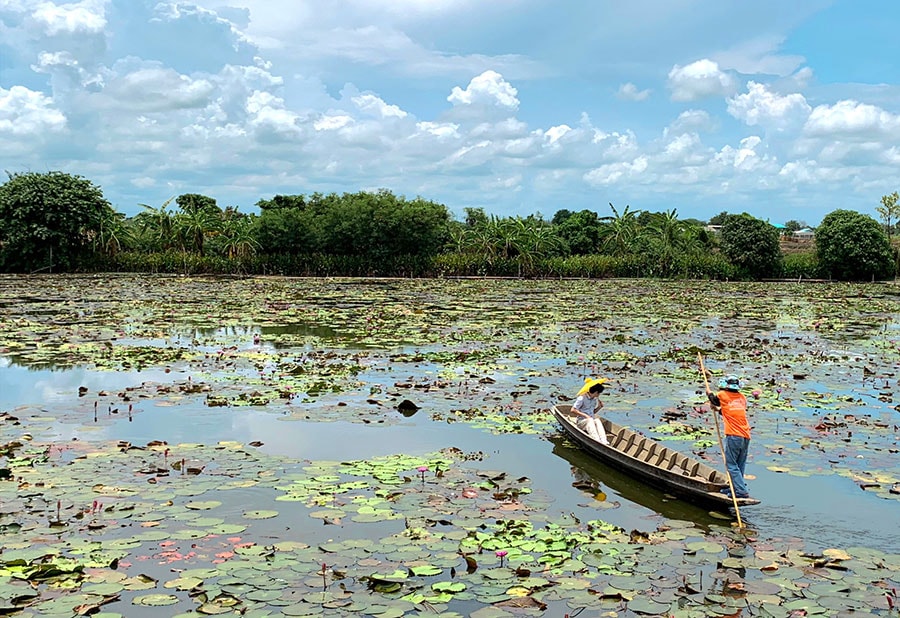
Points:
[[752, 245]]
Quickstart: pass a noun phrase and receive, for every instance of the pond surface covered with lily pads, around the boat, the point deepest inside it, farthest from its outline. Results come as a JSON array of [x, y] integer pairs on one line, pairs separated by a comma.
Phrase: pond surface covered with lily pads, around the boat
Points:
[[294, 376]]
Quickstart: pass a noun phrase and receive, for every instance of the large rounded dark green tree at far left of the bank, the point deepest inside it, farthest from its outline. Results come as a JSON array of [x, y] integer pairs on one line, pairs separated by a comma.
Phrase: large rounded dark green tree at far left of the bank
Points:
[[48, 220]]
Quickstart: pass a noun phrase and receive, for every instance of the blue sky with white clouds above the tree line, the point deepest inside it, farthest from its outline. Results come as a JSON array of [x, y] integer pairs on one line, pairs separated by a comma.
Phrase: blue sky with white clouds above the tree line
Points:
[[784, 110]]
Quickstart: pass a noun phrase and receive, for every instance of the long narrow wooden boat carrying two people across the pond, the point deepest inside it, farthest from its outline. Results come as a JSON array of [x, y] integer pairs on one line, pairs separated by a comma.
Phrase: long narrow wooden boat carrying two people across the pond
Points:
[[685, 477]]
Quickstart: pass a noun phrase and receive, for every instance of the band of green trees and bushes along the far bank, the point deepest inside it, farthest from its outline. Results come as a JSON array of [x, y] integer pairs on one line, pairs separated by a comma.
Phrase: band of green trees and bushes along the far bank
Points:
[[56, 222]]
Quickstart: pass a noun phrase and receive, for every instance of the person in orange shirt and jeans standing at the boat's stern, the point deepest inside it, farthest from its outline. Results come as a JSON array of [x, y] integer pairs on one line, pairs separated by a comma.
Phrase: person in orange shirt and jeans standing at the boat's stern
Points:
[[733, 406]]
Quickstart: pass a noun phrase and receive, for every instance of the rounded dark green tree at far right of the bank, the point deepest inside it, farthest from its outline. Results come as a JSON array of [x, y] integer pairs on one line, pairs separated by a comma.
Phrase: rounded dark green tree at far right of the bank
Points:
[[853, 247]]
